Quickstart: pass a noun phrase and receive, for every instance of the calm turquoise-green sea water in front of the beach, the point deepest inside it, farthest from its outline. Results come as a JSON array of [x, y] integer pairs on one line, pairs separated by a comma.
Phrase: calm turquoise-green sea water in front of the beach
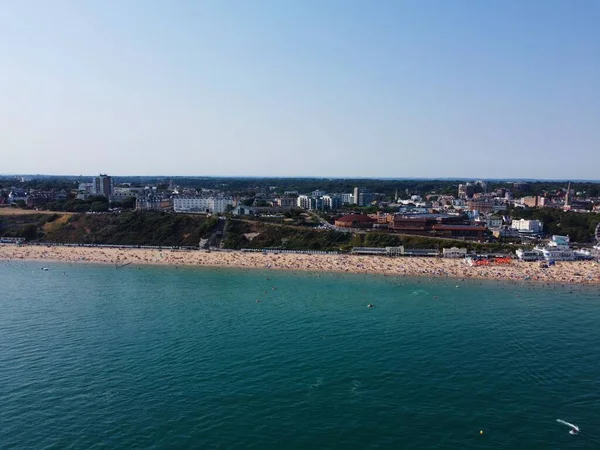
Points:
[[155, 357]]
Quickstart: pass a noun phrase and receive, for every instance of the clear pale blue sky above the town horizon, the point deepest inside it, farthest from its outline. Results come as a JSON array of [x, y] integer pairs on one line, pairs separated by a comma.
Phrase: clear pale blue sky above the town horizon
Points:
[[381, 88]]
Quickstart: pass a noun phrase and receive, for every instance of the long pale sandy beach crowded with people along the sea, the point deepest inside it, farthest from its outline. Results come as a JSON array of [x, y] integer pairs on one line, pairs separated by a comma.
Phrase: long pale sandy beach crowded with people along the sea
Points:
[[563, 272]]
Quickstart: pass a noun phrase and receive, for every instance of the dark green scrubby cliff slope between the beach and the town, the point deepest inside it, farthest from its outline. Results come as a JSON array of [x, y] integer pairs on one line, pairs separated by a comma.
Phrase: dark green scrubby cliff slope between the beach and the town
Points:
[[168, 229]]
